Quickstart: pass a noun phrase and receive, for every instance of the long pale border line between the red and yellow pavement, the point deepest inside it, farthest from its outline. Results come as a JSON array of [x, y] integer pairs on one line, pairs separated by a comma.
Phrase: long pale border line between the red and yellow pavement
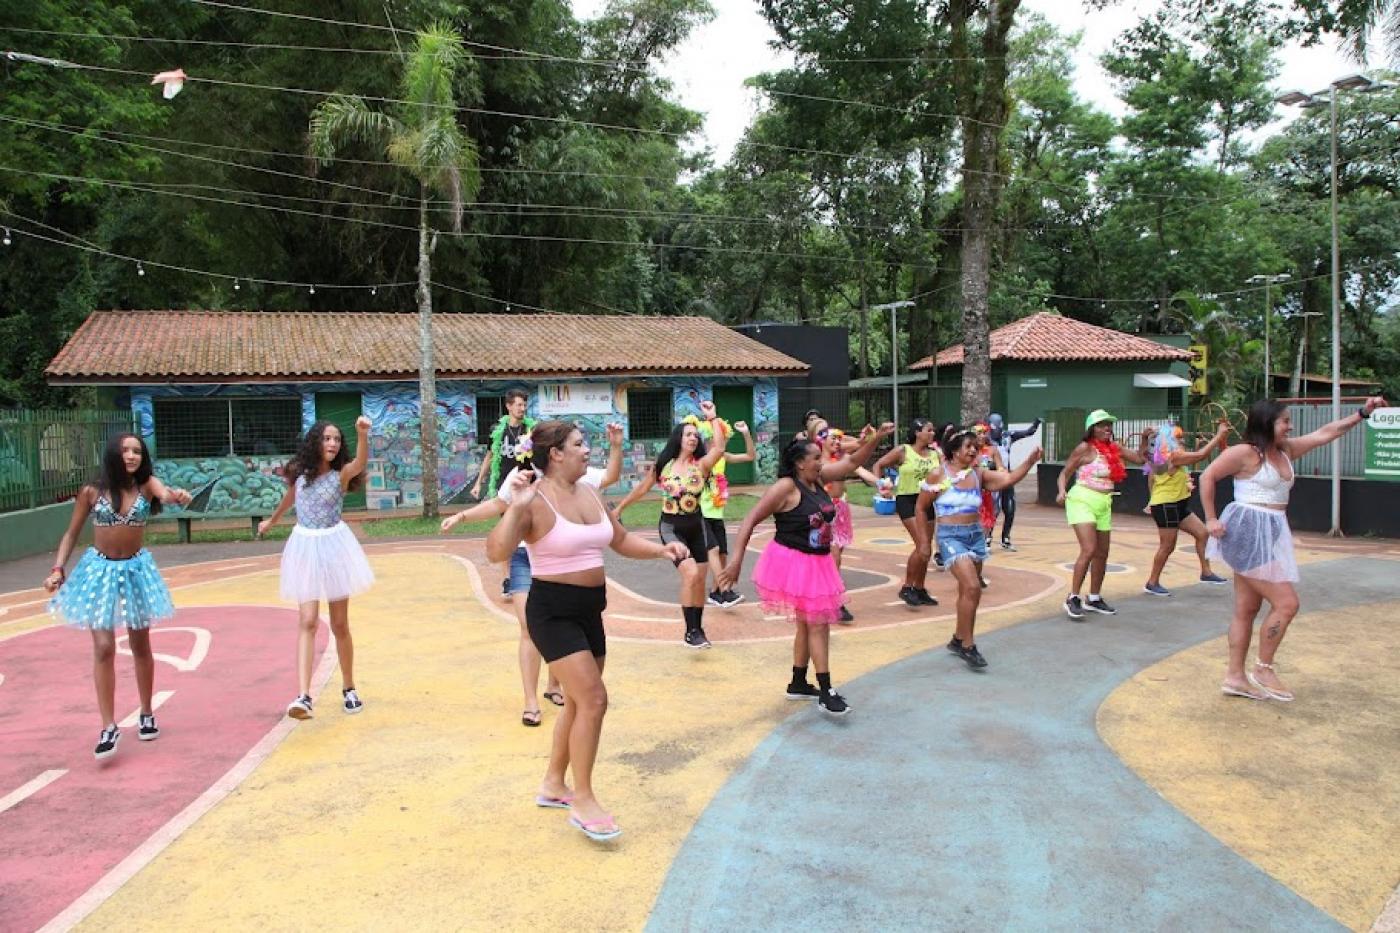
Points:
[[145, 854]]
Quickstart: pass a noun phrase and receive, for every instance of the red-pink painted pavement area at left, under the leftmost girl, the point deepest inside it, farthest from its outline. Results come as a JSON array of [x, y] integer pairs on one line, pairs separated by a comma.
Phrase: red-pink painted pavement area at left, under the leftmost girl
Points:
[[61, 841]]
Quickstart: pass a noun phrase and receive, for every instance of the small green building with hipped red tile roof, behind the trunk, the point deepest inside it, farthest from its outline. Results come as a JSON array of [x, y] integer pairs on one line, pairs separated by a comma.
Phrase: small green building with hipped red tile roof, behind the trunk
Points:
[[1048, 362]]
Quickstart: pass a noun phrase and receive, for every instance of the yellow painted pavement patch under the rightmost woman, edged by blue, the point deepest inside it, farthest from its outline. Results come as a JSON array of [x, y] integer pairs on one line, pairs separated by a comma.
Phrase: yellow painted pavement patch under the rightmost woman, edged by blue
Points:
[[1307, 791]]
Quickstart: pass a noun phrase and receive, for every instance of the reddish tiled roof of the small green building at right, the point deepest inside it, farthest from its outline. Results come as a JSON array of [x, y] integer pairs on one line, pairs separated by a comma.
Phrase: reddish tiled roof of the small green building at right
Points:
[[1048, 337]]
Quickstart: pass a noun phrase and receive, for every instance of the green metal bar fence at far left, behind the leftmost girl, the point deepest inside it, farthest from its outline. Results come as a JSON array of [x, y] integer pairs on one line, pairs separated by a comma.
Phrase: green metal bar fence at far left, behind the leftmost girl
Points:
[[47, 456]]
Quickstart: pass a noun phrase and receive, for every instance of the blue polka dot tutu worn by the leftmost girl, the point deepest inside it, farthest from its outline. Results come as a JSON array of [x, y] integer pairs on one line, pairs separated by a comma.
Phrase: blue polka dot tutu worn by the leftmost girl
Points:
[[103, 593]]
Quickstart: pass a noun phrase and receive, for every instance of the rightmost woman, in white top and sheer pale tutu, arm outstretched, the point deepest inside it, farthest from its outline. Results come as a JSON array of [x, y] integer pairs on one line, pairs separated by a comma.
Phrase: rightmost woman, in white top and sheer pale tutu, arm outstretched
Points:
[[1252, 536]]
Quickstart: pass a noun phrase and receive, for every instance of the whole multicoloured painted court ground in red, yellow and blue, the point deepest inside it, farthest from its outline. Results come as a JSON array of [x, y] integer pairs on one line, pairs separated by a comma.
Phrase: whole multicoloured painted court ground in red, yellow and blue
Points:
[[1093, 778]]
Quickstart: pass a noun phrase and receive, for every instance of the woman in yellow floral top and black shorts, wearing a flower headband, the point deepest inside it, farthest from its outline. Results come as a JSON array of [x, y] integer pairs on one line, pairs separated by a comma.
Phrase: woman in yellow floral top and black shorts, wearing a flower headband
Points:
[[682, 471]]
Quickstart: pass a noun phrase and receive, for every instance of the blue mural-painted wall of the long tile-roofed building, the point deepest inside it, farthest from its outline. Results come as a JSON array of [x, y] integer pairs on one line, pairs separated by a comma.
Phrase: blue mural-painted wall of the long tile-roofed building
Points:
[[254, 485]]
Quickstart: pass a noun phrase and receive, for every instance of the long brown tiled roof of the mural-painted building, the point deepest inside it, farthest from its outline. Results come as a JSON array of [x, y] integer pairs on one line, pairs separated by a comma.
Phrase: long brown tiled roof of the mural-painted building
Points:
[[276, 347]]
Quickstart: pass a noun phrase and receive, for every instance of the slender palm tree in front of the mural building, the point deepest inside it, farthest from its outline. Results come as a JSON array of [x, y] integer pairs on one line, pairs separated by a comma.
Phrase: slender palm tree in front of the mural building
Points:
[[421, 137]]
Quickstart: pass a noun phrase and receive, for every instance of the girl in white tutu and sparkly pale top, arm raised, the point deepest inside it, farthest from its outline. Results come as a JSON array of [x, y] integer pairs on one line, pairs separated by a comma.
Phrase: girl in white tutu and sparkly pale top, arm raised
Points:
[[323, 560]]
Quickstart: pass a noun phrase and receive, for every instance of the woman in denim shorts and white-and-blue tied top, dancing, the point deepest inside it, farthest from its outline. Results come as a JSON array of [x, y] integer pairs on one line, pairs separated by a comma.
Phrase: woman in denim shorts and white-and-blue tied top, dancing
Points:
[[954, 492]]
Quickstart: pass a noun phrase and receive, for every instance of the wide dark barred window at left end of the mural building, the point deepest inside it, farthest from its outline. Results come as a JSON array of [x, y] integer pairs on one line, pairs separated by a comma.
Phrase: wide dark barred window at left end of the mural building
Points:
[[227, 427]]
